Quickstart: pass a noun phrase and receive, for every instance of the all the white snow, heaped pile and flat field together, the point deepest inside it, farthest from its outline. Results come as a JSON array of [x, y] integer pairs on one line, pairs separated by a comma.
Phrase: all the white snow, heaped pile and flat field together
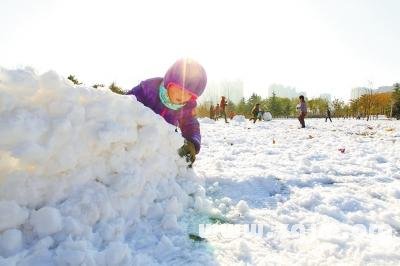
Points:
[[88, 177]]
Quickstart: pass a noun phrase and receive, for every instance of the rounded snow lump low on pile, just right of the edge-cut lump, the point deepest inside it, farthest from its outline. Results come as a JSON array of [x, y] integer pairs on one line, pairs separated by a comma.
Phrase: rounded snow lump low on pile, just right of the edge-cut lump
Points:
[[46, 221]]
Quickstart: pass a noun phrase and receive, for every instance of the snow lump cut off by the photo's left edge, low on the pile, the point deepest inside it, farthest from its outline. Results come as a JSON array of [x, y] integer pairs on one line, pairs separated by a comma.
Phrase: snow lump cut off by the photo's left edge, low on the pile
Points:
[[11, 215]]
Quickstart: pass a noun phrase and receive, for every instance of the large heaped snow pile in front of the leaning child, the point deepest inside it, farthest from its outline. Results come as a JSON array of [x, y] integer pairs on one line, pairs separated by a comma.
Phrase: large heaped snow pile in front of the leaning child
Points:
[[87, 177]]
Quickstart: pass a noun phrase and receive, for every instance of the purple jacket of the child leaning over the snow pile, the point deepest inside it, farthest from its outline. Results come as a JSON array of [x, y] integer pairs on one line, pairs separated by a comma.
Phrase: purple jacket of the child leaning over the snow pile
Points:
[[147, 92]]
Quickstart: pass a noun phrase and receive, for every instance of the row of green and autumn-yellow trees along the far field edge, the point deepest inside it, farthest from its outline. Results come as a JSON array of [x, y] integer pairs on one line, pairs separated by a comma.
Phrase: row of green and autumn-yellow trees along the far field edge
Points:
[[367, 106]]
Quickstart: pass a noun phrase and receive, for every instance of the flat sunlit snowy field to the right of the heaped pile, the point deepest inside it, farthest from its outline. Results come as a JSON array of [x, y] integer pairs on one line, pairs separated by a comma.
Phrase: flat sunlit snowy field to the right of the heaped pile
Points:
[[316, 204]]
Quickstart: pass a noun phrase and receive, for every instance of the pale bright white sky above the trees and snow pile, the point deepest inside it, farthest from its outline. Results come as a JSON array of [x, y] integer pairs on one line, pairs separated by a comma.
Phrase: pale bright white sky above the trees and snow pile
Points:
[[326, 46]]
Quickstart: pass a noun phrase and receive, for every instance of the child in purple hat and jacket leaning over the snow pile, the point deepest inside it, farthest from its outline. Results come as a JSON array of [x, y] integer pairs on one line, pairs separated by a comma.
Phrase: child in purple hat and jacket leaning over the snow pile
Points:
[[174, 98]]
